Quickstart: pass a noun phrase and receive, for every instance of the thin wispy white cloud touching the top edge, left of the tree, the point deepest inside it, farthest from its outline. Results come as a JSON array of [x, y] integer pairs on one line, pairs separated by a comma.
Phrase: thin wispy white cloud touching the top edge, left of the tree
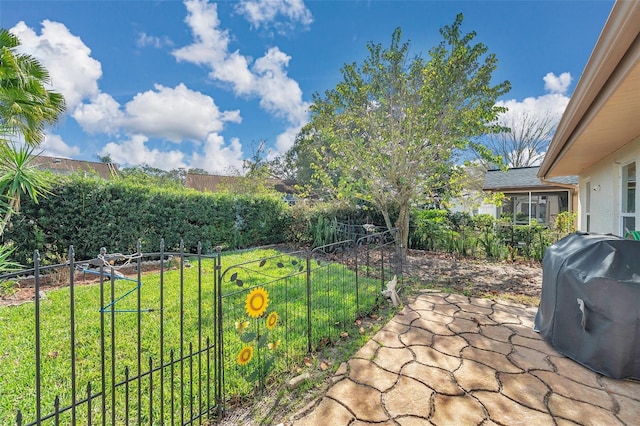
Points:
[[263, 13]]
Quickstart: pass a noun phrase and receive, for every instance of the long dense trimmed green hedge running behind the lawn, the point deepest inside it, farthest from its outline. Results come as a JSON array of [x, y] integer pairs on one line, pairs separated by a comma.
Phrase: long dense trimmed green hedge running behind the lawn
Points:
[[90, 213]]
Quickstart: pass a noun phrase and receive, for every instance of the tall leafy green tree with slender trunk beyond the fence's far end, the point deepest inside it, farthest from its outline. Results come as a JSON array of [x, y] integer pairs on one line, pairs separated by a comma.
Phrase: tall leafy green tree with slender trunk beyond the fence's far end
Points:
[[388, 133]]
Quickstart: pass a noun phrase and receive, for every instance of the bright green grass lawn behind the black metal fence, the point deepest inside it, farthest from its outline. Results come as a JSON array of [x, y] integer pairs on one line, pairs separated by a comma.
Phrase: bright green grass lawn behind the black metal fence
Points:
[[166, 334]]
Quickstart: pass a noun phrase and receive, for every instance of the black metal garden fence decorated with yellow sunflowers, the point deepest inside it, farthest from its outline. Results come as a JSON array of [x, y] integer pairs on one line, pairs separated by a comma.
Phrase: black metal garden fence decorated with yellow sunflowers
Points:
[[173, 337]]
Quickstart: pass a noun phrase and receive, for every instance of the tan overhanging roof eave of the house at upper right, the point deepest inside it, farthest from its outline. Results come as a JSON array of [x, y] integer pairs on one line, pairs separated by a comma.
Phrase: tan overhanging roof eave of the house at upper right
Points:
[[603, 114]]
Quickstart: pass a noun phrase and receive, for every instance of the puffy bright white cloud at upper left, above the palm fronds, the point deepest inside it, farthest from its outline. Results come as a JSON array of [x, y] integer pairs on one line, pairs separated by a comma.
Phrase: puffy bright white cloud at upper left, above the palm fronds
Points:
[[73, 71]]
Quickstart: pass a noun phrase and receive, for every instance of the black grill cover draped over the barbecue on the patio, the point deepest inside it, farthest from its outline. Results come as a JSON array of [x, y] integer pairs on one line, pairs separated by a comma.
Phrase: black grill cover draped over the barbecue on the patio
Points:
[[590, 304]]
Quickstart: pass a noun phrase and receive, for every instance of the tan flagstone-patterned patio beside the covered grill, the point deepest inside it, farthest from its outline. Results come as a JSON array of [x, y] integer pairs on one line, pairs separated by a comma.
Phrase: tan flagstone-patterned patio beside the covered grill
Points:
[[446, 359]]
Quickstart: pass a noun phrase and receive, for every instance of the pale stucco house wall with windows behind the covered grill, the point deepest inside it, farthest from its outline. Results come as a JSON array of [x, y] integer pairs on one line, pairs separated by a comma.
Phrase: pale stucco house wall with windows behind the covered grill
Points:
[[605, 190]]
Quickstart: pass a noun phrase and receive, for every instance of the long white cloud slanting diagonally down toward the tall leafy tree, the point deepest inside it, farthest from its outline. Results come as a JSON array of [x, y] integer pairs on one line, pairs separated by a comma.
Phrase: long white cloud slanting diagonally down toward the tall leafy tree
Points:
[[266, 78]]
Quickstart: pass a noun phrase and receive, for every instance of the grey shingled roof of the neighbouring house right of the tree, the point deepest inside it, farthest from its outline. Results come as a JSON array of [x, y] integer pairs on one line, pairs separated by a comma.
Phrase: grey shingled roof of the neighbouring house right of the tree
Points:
[[522, 179]]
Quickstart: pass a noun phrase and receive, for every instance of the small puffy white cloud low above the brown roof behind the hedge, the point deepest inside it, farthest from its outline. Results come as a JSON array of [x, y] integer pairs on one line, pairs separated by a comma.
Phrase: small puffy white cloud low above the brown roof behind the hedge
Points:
[[218, 158]]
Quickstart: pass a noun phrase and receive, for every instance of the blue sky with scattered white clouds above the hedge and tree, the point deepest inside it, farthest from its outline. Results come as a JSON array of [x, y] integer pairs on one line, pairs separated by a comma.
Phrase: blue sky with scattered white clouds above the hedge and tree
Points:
[[198, 84]]
